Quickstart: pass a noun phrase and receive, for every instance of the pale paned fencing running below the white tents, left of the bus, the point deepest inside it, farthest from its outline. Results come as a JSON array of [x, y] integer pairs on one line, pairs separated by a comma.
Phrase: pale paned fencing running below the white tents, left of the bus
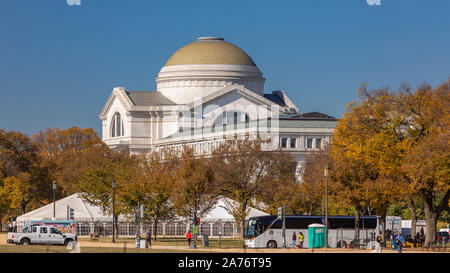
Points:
[[171, 229]]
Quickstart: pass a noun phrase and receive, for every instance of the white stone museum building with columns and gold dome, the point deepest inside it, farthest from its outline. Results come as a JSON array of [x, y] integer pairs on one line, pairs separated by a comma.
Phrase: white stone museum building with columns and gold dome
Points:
[[209, 90]]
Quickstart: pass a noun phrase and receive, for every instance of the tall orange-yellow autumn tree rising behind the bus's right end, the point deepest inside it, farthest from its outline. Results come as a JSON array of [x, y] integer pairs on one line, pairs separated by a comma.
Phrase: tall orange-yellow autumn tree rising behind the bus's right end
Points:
[[367, 150]]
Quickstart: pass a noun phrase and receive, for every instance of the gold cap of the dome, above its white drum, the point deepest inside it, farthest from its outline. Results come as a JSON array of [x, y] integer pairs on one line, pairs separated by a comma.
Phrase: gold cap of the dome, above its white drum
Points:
[[210, 50]]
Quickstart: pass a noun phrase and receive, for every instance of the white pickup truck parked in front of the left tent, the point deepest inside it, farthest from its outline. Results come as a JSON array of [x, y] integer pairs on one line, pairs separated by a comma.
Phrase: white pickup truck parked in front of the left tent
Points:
[[41, 235]]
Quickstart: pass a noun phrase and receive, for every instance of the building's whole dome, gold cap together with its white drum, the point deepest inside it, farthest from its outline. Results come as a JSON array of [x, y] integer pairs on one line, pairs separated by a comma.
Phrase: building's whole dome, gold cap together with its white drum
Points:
[[204, 66]]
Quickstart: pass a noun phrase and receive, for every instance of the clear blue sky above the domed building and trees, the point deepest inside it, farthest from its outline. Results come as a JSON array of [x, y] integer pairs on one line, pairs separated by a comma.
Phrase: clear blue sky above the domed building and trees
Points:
[[59, 63]]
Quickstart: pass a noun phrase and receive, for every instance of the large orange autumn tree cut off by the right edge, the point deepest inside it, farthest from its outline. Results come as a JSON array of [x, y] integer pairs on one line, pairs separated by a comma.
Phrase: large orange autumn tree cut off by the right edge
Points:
[[424, 115]]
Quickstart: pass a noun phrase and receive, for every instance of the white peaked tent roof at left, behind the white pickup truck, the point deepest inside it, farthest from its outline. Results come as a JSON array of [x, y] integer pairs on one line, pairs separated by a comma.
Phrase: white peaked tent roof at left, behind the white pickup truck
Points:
[[83, 211]]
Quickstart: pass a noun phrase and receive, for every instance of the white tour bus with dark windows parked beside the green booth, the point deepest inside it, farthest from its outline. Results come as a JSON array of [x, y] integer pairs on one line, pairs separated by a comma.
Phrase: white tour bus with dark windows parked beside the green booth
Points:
[[266, 231]]
